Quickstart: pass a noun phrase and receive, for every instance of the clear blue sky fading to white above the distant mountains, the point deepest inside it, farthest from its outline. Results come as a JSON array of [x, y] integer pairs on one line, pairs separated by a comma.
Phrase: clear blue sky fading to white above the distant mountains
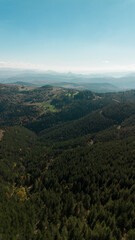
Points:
[[68, 35]]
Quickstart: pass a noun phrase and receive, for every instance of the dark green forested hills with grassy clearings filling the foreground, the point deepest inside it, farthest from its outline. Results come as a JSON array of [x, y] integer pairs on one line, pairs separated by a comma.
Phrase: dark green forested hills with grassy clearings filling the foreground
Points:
[[67, 168]]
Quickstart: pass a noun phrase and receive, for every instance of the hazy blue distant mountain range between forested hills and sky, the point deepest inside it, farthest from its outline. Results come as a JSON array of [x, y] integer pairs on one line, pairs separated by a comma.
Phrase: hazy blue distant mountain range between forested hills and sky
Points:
[[93, 82]]
